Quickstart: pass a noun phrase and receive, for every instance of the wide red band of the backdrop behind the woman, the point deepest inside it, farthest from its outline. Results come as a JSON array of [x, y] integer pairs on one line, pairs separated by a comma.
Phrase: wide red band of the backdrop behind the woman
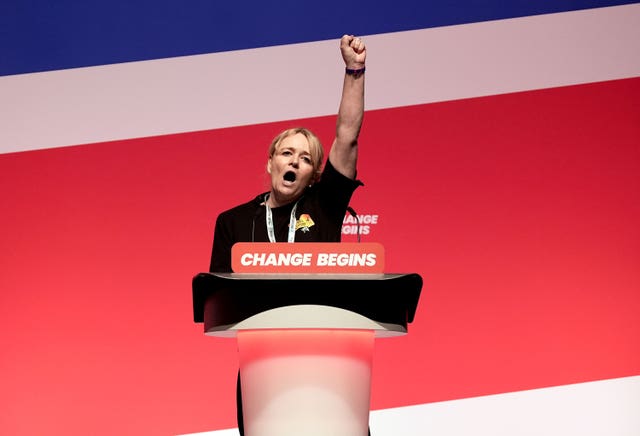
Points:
[[520, 211]]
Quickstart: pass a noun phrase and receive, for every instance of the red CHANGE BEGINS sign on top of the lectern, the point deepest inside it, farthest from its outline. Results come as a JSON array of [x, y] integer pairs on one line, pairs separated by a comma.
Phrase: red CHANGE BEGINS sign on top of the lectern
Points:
[[316, 257]]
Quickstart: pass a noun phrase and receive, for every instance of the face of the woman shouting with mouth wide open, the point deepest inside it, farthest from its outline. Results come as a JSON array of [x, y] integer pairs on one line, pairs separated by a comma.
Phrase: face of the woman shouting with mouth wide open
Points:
[[291, 170]]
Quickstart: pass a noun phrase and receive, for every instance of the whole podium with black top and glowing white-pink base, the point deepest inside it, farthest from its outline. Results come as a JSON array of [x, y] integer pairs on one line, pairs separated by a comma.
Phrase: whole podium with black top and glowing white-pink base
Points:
[[305, 343]]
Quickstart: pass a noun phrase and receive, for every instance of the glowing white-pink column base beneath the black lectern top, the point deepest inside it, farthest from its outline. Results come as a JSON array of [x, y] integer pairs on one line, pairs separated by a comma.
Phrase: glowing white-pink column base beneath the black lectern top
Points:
[[305, 382]]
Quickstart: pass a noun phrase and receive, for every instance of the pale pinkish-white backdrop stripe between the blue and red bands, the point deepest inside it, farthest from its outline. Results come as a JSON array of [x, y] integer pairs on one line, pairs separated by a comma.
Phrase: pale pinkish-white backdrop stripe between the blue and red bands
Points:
[[139, 99]]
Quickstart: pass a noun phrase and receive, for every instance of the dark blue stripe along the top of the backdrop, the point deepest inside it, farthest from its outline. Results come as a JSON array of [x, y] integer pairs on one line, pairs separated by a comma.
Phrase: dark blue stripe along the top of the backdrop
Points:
[[44, 35]]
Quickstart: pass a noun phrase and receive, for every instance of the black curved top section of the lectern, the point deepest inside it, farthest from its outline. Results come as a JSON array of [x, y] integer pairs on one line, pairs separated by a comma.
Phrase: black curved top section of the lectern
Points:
[[227, 298]]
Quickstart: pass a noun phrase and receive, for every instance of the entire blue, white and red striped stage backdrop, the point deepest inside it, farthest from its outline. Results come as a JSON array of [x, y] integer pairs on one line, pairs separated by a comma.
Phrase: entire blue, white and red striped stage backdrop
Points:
[[501, 160]]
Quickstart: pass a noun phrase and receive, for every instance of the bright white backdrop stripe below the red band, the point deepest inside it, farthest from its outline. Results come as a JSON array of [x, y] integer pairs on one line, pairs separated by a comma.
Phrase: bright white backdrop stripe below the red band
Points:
[[606, 407]]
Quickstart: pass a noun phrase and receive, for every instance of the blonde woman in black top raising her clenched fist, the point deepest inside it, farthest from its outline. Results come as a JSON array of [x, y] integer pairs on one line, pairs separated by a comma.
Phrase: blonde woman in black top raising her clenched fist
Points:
[[304, 204]]
